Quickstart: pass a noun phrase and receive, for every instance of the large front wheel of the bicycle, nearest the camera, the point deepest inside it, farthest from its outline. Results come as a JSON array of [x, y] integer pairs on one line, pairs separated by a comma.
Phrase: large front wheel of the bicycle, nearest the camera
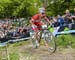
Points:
[[50, 41]]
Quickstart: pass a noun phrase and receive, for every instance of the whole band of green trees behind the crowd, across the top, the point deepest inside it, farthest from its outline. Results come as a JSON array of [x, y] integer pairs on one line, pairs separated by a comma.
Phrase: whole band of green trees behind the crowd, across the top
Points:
[[25, 8]]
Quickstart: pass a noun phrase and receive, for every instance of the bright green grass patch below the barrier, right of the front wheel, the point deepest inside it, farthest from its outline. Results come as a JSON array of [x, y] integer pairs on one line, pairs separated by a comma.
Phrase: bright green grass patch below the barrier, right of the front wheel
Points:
[[66, 40]]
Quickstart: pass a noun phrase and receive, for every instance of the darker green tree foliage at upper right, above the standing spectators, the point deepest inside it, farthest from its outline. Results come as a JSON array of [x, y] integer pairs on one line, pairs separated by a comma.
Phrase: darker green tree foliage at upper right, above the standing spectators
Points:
[[55, 7]]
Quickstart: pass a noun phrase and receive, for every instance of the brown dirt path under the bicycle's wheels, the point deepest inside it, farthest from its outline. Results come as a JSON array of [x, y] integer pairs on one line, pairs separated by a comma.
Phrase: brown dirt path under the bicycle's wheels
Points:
[[28, 53]]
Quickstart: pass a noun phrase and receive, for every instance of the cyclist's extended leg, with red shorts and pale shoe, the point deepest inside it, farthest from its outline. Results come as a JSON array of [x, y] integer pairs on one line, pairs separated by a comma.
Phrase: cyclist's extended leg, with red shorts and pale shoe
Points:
[[36, 28]]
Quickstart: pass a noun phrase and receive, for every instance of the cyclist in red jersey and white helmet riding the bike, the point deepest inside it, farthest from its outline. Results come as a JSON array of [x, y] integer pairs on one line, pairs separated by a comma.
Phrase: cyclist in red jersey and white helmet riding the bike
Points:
[[36, 22]]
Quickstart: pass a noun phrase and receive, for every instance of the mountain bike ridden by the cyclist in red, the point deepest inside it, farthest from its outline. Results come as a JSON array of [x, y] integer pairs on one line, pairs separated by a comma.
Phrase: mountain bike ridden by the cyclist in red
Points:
[[47, 36]]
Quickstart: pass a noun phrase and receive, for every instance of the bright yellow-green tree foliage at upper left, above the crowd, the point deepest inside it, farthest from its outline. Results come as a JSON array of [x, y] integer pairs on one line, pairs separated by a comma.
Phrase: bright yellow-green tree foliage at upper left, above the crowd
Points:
[[20, 8]]
